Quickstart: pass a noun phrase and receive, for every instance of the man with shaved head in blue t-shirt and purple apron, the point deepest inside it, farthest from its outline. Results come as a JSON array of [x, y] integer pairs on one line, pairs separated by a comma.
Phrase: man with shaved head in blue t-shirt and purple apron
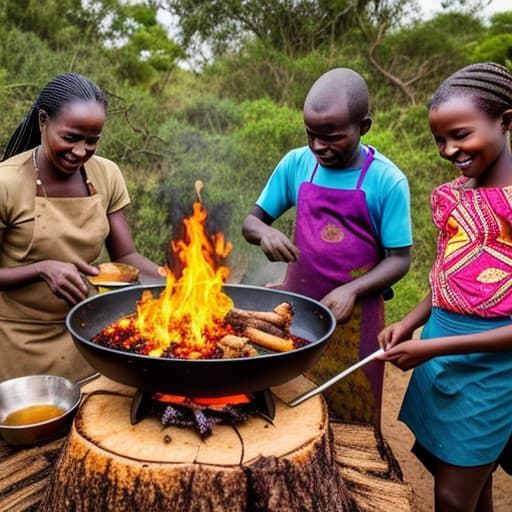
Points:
[[352, 233]]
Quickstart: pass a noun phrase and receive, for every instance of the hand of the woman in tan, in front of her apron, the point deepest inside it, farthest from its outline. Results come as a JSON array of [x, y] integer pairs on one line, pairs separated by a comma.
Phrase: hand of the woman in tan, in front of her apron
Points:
[[66, 280]]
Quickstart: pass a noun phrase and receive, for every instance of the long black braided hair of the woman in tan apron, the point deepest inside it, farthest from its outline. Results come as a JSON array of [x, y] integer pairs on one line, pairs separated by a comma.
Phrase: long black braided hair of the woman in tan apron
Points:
[[61, 90]]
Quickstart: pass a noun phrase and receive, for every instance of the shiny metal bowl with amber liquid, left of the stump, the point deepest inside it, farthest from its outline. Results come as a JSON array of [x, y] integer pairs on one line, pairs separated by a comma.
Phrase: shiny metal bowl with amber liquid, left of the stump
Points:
[[37, 390]]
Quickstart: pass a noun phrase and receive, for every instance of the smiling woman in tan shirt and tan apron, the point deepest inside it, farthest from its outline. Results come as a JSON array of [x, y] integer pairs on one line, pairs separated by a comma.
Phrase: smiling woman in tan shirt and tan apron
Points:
[[59, 206]]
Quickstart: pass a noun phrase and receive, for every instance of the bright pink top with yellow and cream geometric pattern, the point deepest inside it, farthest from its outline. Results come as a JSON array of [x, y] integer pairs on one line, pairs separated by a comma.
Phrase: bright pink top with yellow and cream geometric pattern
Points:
[[472, 273]]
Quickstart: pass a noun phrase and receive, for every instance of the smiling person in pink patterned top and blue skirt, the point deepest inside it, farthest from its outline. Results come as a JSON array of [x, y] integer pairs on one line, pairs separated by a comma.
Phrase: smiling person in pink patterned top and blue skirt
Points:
[[459, 400]]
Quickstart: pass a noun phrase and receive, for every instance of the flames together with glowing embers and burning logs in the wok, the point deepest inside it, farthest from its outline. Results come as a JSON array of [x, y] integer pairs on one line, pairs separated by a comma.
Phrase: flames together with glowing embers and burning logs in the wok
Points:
[[193, 318]]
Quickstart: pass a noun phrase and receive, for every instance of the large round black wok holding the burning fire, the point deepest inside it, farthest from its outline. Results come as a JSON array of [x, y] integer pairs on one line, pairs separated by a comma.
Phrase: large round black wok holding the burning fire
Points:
[[205, 377]]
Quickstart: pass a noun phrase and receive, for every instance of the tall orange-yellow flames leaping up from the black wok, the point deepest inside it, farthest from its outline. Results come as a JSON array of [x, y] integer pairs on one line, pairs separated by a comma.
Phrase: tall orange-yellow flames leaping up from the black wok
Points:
[[188, 315]]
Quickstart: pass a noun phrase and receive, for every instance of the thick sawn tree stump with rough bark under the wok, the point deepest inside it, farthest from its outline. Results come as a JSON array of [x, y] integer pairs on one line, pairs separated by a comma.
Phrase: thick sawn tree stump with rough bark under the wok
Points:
[[108, 464]]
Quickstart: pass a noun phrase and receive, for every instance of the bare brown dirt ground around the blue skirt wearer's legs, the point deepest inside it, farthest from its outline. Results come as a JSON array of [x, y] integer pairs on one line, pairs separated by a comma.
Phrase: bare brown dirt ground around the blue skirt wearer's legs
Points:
[[400, 439]]
